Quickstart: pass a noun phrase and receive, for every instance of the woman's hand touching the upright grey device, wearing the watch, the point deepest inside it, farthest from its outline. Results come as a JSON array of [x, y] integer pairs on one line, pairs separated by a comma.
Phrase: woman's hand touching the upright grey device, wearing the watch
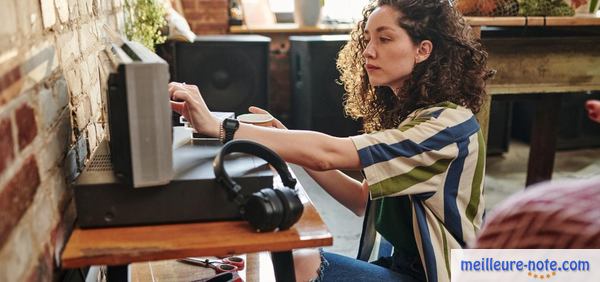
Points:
[[187, 101]]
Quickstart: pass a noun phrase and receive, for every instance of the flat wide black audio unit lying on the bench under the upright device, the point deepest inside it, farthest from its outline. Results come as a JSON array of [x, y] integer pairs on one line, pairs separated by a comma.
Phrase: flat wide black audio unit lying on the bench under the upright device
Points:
[[193, 195]]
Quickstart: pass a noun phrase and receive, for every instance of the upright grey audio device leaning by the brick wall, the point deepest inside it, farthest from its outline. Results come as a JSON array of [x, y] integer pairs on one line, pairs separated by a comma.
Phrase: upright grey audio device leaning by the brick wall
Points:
[[139, 116]]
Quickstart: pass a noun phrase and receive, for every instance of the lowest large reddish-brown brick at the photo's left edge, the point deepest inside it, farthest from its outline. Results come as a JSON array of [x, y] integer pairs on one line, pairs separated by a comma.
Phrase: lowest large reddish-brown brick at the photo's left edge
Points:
[[17, 196]]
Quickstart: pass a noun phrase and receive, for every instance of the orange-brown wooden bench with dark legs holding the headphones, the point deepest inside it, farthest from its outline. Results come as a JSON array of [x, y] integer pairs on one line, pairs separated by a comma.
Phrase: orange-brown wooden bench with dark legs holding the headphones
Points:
[[116, 247]]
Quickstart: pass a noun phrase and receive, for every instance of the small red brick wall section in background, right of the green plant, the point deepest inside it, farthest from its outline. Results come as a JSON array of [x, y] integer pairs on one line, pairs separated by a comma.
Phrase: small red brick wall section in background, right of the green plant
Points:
[[207, 16]]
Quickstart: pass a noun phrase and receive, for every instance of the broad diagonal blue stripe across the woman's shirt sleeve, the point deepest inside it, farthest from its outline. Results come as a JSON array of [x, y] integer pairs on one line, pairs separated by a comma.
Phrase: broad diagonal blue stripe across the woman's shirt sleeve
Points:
[[407, 148]]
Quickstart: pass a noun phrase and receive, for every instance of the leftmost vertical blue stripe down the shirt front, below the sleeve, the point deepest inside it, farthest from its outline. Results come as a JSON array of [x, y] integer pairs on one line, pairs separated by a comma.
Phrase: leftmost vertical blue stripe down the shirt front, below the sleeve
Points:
[[428, 252]]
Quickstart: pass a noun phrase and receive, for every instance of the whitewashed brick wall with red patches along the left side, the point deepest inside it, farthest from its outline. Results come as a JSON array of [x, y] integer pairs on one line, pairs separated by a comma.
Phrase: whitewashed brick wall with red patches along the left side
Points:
[[53, 74]]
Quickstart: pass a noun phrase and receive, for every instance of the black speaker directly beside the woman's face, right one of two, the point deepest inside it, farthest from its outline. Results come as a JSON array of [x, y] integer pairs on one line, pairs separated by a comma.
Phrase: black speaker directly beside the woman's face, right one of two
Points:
[[316, 96]]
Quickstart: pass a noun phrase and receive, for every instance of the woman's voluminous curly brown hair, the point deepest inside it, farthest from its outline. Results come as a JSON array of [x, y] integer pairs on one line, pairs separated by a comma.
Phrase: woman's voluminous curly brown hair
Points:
[[455, 71]]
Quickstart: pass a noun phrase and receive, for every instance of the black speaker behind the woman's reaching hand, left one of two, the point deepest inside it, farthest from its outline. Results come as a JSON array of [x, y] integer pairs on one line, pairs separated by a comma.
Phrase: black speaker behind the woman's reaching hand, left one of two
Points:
[[232, 71]]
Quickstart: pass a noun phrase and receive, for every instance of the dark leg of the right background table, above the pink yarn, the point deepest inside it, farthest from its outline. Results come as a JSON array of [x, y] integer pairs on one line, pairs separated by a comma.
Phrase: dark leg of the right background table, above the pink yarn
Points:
[[543, 139]]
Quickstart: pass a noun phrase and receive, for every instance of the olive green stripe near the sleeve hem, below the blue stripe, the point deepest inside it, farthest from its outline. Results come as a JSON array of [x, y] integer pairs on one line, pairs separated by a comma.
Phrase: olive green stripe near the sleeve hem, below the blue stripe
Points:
[[401, 182]]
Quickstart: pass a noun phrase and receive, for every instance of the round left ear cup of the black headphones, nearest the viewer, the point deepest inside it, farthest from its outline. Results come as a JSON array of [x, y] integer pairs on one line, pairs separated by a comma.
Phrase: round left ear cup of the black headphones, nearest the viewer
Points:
[[264, 210]]
